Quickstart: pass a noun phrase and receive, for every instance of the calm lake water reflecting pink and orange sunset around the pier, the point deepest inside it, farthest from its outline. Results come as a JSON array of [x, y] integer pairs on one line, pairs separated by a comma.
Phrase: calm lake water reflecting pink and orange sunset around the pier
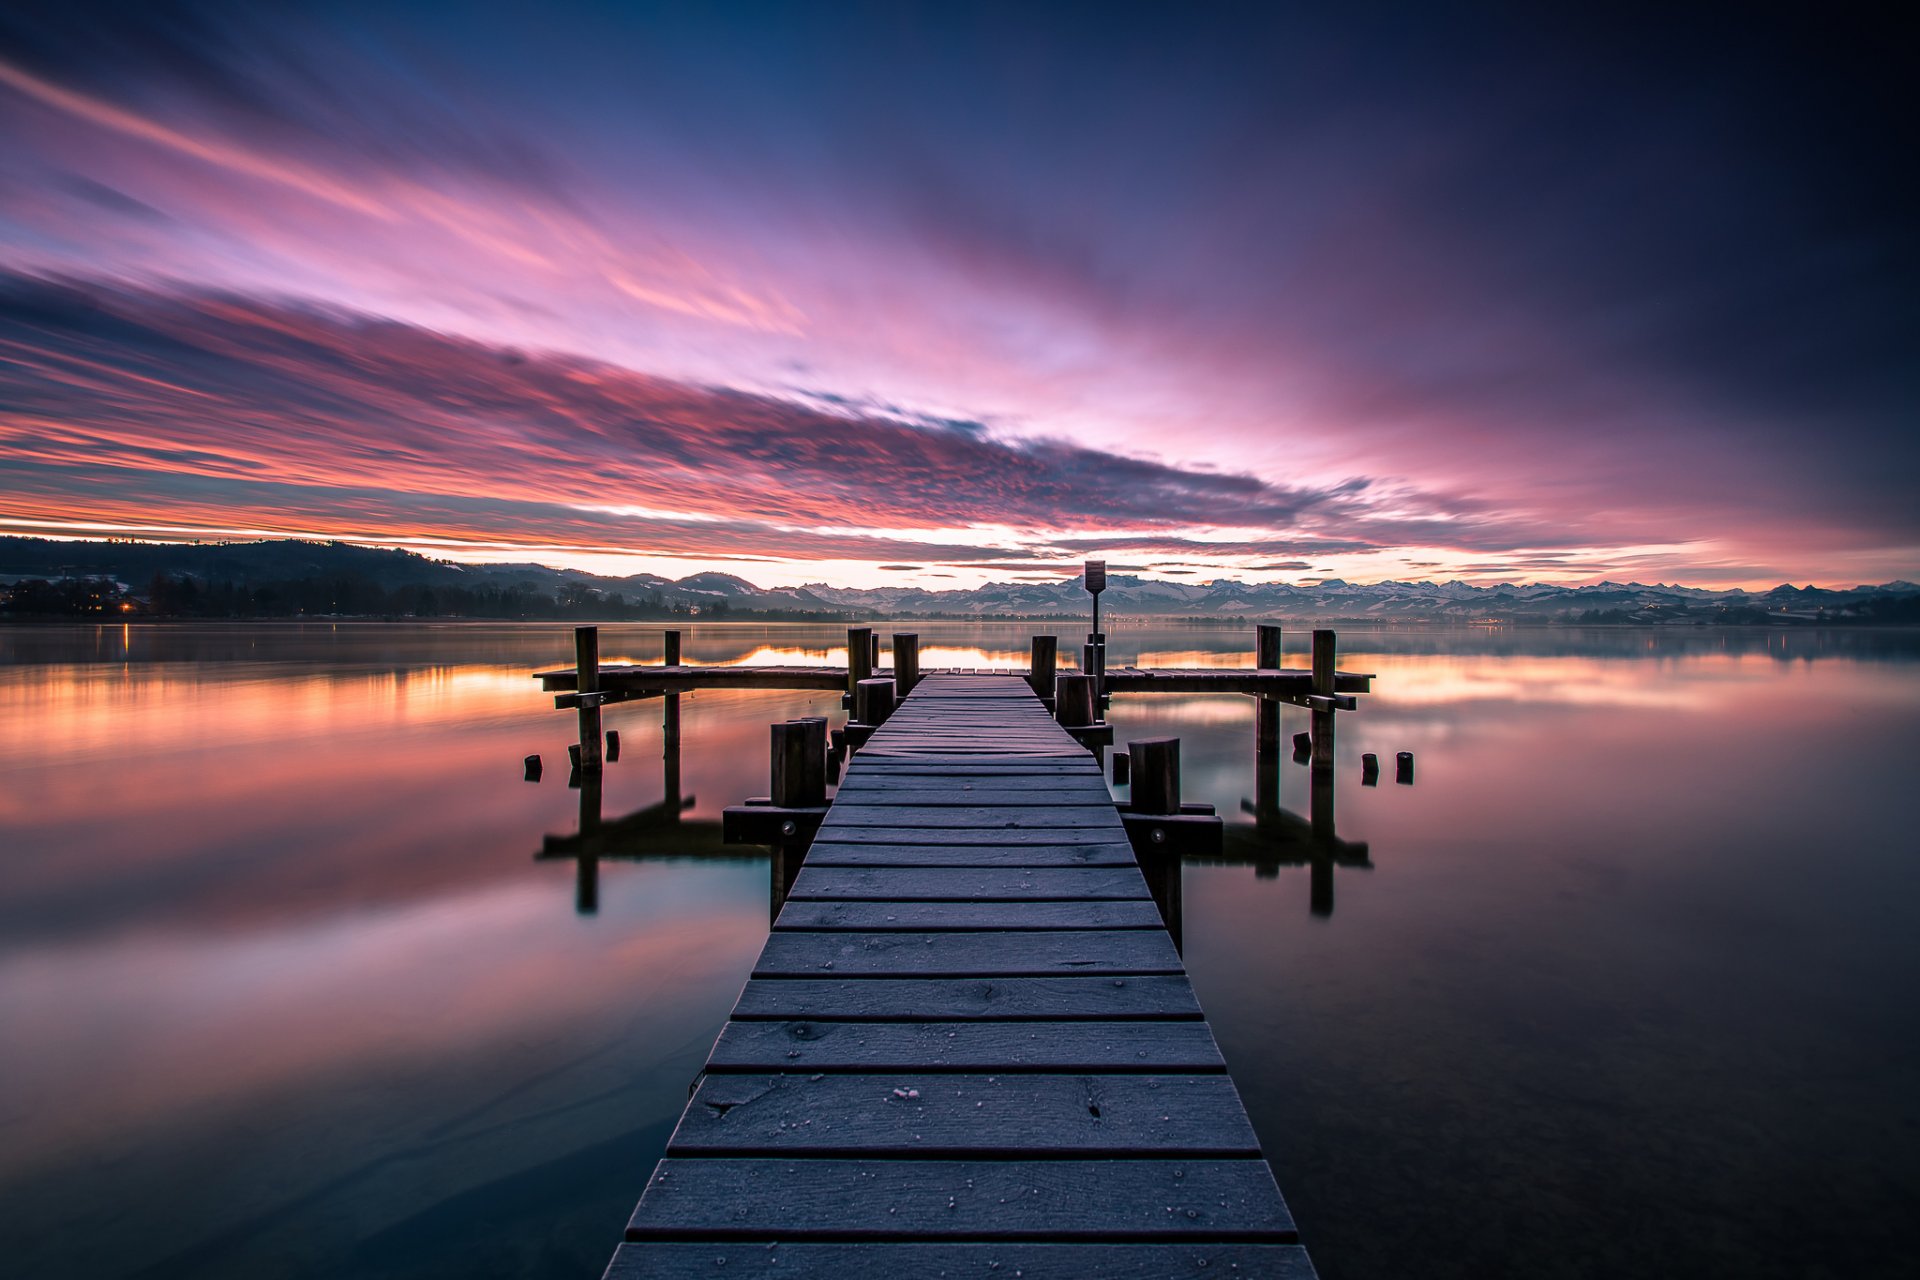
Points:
[[1627, 985]]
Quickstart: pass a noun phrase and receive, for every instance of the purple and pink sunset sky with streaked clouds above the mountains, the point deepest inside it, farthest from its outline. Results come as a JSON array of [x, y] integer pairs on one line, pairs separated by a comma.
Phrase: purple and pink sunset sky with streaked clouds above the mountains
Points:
[[946, 295]]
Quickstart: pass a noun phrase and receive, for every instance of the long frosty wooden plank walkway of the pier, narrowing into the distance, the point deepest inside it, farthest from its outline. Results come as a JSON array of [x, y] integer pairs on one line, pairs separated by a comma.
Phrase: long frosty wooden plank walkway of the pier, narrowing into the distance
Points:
[[969, 1047]]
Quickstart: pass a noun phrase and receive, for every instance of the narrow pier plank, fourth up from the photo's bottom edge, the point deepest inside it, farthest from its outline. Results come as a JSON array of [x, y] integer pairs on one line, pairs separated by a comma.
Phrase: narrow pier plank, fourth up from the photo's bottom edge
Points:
[[967, 1047]]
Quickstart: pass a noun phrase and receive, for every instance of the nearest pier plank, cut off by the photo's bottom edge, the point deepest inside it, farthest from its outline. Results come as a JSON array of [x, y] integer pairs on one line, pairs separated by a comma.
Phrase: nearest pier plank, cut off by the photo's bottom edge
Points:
[[869, 1260]]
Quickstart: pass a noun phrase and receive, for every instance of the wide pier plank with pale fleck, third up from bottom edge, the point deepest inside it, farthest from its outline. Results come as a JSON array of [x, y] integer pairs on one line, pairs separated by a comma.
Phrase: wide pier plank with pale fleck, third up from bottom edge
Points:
[[967, 1116]]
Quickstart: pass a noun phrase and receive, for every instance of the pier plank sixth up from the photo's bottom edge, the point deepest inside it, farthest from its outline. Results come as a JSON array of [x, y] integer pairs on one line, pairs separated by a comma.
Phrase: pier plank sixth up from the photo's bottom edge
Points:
[[969, 955]]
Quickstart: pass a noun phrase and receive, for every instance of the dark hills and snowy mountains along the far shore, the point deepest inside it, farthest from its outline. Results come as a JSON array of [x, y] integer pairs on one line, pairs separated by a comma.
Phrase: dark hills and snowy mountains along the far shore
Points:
[[302, 577]]
